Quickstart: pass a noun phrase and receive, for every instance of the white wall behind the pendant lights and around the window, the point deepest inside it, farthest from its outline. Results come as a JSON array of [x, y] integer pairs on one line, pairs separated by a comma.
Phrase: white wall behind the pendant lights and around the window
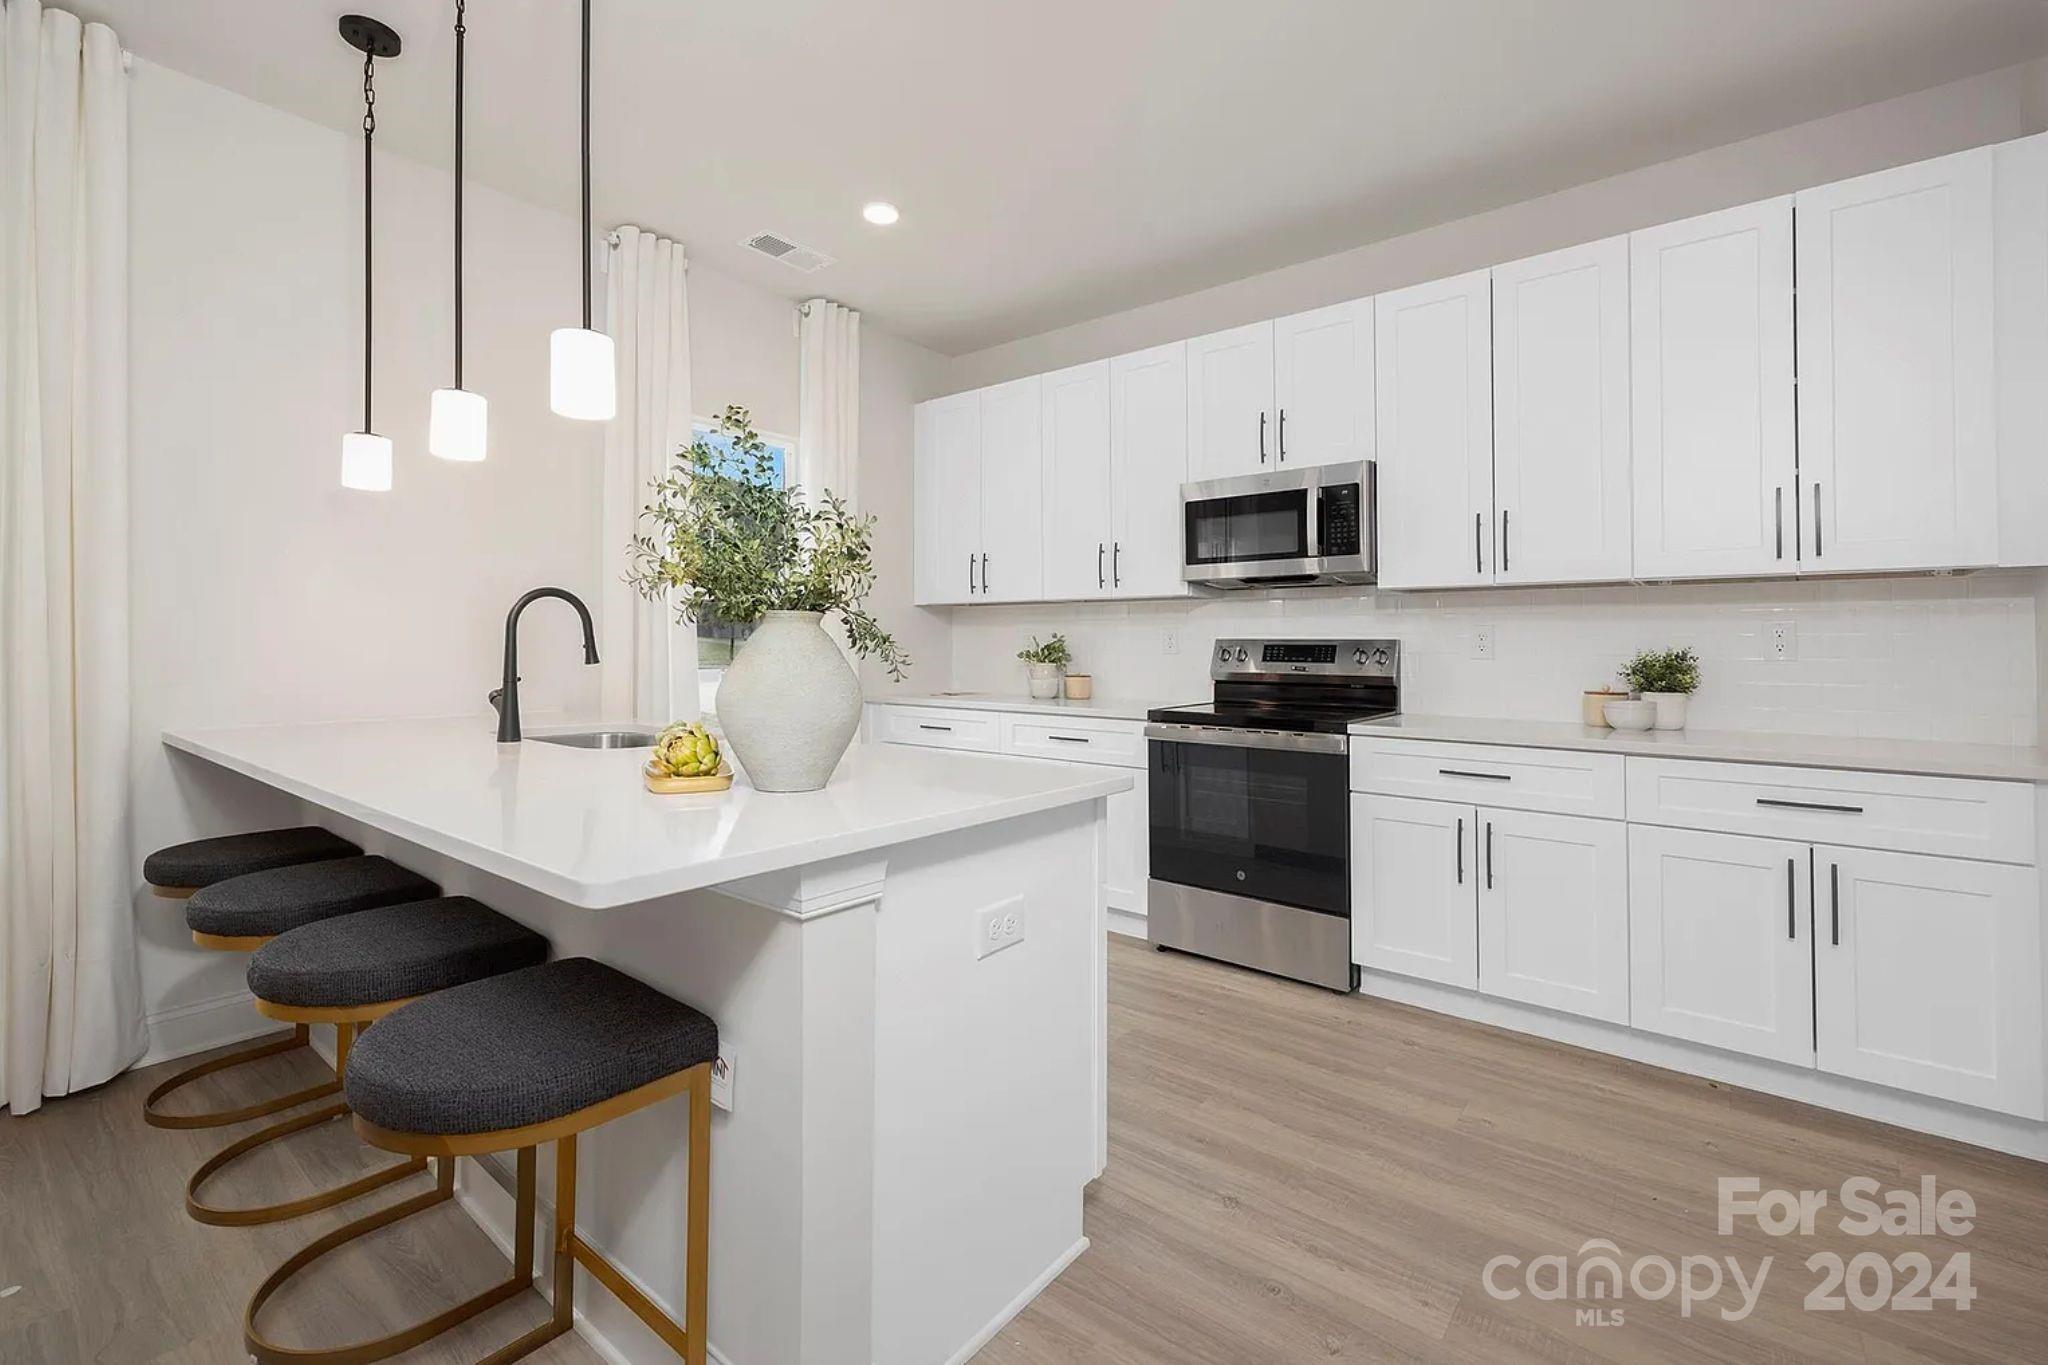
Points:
[[267, 592]]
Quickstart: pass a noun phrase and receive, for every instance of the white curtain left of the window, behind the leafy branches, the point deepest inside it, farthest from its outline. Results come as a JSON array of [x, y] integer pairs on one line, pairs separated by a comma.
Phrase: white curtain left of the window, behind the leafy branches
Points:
[[650, 658]]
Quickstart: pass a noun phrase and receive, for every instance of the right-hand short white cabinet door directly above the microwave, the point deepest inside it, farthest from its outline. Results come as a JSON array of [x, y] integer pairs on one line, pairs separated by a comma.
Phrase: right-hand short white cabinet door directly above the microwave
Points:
[[1324, 386]]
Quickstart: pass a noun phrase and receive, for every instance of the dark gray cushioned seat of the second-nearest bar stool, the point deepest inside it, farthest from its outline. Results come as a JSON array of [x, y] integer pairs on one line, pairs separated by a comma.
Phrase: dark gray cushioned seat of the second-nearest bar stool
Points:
[[392, 953]]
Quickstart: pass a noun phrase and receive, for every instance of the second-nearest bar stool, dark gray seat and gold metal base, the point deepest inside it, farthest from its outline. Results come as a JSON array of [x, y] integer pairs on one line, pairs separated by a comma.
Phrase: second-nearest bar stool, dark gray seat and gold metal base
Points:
[[349, 971]]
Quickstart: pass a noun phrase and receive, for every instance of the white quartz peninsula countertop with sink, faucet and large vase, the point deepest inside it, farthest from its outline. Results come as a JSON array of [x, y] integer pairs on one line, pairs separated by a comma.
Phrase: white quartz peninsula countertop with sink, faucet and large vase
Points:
[[581, 828]]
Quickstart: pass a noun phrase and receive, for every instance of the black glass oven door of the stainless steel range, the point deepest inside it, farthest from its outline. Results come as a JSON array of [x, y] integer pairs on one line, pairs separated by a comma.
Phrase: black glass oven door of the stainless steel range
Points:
[[1252, 813]]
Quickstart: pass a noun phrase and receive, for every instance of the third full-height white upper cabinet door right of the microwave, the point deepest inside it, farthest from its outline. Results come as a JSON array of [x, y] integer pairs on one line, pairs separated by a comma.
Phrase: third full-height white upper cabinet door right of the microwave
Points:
[[1711, 371]]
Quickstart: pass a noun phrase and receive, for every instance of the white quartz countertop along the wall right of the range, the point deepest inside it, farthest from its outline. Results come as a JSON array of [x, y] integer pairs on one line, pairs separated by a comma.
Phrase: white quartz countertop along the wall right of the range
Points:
[[1902, 756]]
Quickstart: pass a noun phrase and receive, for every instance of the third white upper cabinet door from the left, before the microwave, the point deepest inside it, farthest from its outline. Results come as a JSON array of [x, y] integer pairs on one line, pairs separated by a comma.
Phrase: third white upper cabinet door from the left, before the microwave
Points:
[[1076, 443]]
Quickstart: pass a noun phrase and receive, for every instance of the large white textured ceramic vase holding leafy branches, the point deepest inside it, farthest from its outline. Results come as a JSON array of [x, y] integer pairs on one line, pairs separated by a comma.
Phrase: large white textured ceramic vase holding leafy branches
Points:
[[790, 703]]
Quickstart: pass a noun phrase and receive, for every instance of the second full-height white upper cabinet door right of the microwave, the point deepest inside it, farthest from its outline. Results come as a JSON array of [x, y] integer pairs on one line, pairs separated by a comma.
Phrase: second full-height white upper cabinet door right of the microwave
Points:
[[1562, 416]]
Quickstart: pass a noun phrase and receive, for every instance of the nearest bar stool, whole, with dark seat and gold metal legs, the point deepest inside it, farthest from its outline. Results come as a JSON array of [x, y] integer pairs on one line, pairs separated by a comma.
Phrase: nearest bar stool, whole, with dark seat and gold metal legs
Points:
[[507, 1065]]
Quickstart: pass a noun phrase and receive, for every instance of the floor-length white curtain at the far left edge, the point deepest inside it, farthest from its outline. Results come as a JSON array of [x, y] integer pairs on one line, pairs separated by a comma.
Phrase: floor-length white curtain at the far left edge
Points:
[[71, 1002]]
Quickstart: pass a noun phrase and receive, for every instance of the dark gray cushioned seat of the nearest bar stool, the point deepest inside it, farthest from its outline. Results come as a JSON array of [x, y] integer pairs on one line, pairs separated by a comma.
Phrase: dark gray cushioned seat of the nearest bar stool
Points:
[[521, 1049]]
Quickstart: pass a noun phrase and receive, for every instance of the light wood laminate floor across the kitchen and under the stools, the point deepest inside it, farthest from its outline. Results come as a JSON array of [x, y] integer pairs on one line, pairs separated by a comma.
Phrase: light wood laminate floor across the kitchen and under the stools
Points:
[[1293, 1178]]
